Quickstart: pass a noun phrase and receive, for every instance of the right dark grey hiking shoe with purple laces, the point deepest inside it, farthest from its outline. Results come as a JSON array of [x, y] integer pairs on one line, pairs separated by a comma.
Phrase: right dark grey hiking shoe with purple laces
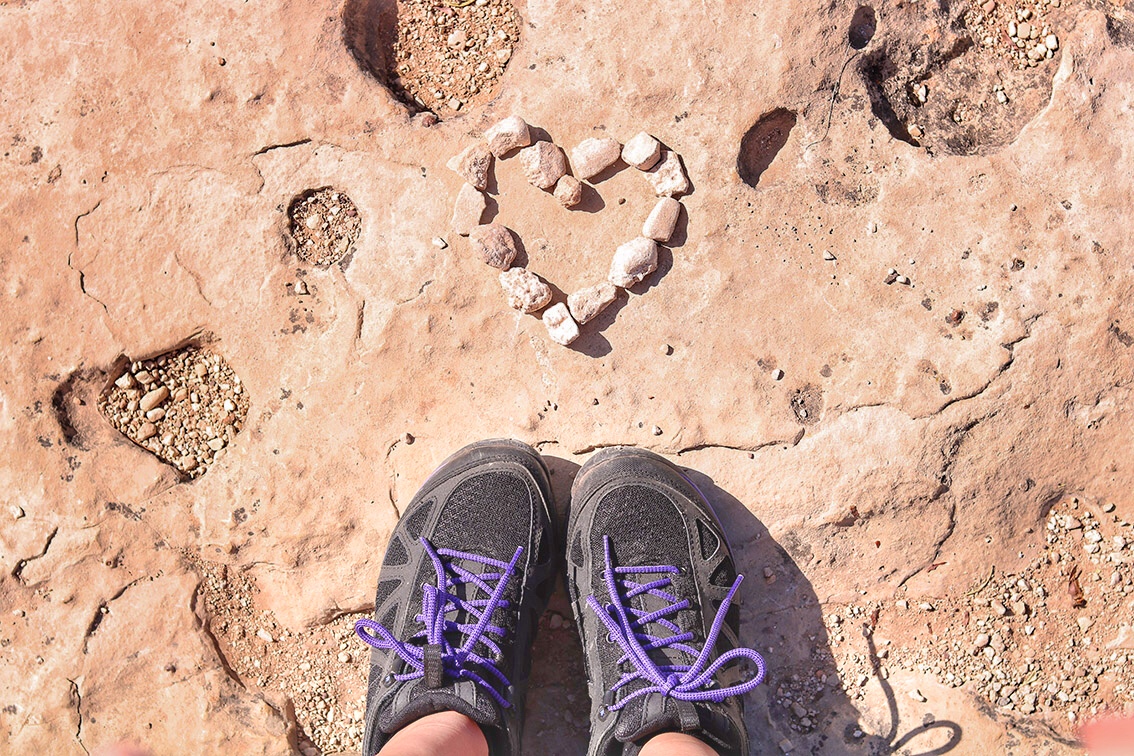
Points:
[[654, 590]]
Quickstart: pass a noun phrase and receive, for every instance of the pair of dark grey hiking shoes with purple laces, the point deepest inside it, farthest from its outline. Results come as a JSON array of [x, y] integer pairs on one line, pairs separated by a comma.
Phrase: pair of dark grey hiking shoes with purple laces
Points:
[[472, 564]]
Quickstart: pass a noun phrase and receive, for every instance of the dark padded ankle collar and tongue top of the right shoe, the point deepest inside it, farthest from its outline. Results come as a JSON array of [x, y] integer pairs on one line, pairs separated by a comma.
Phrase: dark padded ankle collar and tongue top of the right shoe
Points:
[[655, 713]]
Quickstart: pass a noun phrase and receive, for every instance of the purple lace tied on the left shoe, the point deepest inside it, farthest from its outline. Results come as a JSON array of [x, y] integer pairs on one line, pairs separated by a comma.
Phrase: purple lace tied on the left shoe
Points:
[[441, 600]]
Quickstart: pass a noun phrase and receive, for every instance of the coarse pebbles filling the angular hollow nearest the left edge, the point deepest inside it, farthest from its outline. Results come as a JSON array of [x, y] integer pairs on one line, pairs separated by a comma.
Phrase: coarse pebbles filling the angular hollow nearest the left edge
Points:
[[185, 407]]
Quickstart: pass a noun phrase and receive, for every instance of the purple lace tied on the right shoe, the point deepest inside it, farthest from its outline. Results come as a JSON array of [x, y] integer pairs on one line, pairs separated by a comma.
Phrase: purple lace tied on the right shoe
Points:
[[629, 628]]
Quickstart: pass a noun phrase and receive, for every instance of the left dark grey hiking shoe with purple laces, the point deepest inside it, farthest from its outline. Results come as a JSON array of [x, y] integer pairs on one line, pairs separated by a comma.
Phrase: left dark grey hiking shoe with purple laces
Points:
[[467, 575]]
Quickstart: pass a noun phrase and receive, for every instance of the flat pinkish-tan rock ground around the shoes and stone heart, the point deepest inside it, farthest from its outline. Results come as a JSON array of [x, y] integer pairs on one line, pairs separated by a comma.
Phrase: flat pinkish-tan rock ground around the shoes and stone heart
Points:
[[927, 482]]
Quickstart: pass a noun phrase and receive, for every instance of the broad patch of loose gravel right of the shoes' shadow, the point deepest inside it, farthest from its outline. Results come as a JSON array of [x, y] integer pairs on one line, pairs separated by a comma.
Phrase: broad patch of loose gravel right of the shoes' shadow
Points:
[[1048, 639]]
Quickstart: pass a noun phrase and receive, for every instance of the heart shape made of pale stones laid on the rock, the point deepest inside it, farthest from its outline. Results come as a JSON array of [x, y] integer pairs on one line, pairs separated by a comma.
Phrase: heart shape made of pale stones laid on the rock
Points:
[[547, 168]]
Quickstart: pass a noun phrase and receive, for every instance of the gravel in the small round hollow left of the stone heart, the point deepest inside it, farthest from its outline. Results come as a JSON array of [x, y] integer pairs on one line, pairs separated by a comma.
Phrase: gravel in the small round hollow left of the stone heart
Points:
[[325, 226]]
